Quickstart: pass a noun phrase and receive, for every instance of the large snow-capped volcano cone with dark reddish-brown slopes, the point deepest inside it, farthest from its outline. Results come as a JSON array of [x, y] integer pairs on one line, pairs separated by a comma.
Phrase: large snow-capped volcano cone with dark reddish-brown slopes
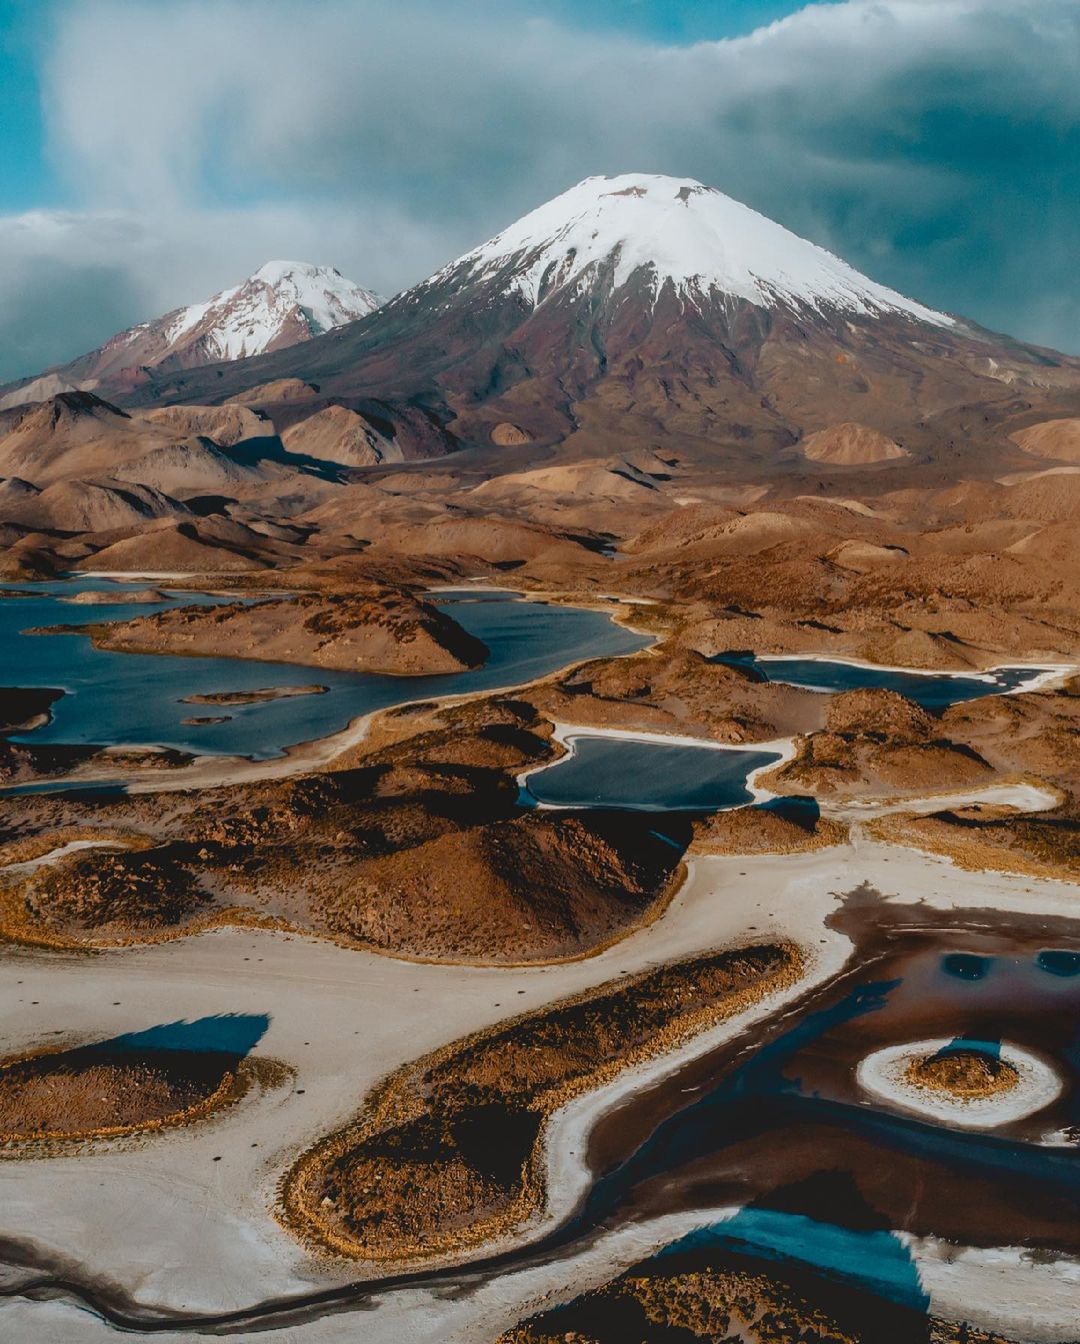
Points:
[[640, 311]]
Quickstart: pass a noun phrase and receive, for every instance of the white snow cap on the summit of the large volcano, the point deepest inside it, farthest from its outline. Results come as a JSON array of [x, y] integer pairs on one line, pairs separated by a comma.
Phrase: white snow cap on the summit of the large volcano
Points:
[[682, 233]]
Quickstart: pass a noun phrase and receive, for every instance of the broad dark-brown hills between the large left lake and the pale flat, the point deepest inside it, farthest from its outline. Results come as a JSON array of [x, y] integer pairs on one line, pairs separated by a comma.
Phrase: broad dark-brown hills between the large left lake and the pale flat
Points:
[[418, 850]]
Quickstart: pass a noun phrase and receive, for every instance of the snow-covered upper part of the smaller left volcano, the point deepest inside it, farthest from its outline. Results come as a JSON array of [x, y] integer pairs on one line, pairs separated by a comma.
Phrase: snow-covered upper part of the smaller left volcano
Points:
[[283, 303]]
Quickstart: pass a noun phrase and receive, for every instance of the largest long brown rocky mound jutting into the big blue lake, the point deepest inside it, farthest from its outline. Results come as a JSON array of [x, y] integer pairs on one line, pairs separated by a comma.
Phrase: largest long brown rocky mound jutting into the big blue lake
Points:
[[374, 631]]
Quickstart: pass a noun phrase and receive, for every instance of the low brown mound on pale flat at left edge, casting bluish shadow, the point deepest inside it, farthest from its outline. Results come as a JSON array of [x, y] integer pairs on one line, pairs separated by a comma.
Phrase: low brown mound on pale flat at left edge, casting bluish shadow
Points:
[[105, 1089]]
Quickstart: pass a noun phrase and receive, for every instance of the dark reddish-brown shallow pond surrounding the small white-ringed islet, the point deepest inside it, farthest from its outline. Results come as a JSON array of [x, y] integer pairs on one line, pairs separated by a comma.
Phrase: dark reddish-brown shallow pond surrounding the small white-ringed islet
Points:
[[784, 1128]]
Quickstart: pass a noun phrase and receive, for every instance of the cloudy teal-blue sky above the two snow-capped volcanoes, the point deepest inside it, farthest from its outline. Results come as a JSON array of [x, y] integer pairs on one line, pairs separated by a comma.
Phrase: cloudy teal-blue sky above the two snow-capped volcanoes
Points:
[[156, 151]]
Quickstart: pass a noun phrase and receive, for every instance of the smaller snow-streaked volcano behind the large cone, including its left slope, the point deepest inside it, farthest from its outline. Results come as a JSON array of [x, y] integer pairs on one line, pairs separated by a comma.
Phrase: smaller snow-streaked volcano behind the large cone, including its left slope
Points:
[[283, 304]]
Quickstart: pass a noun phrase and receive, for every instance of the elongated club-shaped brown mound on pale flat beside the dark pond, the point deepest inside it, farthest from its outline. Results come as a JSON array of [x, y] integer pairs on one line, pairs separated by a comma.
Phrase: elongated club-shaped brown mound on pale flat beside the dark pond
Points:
[[447, 1152]]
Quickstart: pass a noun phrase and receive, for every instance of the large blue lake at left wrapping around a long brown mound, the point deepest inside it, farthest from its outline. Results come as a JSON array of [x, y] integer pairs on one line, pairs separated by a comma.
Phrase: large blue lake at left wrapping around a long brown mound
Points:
[[132, 700]]
